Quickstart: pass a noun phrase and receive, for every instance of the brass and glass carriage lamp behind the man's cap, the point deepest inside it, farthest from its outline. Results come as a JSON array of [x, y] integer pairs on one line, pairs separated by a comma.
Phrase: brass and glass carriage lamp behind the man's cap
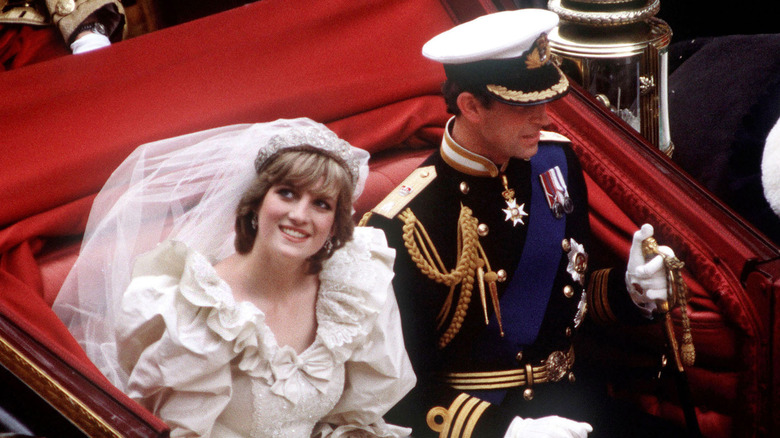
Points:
[[618, 51]]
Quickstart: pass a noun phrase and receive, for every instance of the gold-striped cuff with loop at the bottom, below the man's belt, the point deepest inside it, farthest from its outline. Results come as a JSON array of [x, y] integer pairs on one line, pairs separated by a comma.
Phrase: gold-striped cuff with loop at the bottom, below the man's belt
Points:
[[459, 420]]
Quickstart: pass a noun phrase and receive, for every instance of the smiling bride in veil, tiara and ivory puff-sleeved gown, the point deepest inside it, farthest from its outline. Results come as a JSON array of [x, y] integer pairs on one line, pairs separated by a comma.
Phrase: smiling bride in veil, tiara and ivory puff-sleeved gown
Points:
[[226, 289]]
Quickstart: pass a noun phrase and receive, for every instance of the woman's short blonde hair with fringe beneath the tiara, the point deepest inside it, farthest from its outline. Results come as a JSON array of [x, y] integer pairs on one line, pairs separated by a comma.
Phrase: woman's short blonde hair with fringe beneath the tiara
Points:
[[306, 168]]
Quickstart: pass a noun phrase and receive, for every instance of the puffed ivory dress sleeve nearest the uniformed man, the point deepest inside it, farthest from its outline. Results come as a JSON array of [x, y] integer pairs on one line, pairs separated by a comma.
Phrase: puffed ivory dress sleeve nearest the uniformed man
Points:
[[379, 373]]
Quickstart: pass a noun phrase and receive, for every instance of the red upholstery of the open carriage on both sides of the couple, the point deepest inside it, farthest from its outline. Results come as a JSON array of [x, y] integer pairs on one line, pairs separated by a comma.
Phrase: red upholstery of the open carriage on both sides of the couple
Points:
[[357, 67]]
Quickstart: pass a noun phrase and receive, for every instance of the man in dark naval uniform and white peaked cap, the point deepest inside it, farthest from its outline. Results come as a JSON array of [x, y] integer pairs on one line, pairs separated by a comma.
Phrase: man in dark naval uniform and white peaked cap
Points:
[[491, 234]]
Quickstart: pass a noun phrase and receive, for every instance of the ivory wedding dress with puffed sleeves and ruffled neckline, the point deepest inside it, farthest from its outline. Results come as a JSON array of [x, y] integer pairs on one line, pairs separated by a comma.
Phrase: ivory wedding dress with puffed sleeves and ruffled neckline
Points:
[[210, 366]]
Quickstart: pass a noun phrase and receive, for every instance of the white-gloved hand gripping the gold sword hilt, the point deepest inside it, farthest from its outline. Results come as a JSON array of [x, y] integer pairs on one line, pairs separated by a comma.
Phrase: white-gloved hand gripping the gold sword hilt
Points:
[[646, 281]]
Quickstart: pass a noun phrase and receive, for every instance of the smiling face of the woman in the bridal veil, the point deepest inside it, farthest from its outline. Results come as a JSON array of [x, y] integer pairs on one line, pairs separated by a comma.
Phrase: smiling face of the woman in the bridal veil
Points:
[[294, 222]]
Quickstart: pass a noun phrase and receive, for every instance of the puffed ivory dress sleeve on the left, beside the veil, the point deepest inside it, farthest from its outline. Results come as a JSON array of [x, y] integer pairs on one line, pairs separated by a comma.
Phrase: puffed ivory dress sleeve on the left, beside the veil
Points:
[[178, 367]]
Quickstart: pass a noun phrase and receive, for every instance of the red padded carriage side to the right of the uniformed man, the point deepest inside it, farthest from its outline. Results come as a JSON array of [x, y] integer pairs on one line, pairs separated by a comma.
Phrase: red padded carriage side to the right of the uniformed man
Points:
[[732, 324]]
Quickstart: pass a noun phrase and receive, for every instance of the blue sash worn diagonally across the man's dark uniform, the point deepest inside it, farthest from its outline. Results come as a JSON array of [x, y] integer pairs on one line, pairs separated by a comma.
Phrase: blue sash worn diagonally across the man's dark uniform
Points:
[[524, 302]]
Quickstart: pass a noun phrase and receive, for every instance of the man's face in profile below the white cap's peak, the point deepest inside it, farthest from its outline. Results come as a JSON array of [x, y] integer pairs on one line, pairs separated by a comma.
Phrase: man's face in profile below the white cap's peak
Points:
[[510, 131]]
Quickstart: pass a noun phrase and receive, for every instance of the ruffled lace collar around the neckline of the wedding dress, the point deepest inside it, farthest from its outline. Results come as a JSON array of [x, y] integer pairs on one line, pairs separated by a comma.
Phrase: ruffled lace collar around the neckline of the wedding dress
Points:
[[353, 288]]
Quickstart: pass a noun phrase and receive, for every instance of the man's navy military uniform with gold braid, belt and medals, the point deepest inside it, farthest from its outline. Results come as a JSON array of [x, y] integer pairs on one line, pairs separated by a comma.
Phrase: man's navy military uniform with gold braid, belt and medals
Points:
[[462, 361]]
